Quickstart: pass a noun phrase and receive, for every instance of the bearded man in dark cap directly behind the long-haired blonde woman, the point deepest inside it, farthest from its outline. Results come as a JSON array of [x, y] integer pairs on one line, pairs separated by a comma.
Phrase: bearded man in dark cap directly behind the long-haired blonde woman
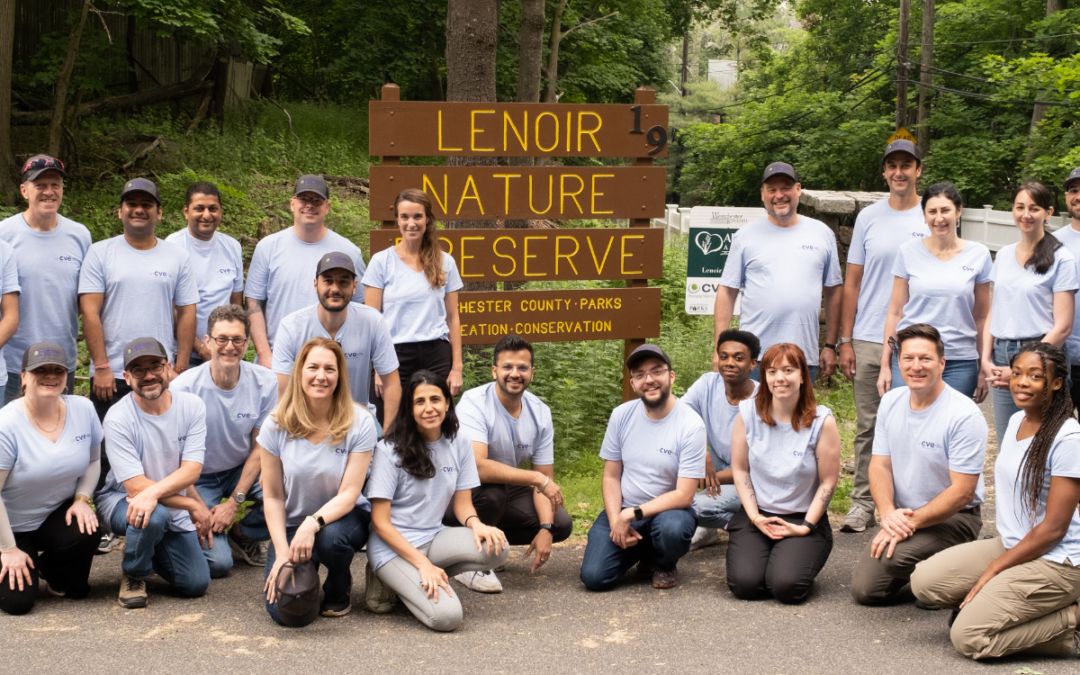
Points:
[[360, 330]]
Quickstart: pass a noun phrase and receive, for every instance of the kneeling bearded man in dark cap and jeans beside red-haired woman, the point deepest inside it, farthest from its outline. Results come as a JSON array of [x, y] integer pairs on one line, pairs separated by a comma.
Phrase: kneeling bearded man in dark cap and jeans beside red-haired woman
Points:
[[655, 455]]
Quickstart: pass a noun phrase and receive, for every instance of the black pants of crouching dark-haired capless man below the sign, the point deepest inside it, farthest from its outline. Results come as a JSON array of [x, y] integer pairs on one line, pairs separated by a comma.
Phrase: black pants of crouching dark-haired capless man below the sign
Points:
[[511, 509]]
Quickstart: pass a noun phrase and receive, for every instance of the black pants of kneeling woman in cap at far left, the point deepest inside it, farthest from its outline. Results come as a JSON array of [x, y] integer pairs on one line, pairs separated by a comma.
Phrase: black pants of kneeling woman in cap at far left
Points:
[[65, 558]]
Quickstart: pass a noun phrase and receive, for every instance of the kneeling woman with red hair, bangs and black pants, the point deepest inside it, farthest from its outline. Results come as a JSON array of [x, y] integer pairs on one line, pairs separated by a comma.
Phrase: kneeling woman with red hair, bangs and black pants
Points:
[[786, 456]]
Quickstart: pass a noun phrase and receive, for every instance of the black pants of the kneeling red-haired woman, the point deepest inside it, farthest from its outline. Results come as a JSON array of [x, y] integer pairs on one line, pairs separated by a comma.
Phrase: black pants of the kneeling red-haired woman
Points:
[[786, 569]]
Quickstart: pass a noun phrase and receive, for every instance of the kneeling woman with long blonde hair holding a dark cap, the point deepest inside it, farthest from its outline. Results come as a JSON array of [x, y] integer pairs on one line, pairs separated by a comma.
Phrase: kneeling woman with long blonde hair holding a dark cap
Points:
[[316, 453]]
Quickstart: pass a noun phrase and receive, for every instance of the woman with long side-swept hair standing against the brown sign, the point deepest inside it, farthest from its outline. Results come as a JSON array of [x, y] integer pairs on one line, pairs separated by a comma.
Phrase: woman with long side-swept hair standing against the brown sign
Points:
[[415, 285]]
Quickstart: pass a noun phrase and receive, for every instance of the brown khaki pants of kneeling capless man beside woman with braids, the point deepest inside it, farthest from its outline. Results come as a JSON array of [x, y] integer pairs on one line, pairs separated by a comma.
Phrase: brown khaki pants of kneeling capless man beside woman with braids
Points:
[[879, 580]]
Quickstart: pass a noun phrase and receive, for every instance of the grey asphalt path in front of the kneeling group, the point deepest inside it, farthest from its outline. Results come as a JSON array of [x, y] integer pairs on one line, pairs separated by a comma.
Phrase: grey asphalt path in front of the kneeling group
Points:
[[547, 624]]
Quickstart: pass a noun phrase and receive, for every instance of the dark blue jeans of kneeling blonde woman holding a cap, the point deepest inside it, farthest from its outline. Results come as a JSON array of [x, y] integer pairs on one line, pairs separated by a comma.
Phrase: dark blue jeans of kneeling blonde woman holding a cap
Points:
[[335, 546]]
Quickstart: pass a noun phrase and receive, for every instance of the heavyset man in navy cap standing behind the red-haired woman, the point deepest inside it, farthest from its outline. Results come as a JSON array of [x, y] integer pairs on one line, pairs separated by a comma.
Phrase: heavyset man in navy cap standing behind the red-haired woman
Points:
[[785, 264]]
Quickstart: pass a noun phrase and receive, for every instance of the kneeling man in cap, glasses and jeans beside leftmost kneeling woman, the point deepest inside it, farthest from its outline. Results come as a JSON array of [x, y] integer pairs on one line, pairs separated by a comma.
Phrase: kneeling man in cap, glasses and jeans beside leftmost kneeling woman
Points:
[[156, 441]]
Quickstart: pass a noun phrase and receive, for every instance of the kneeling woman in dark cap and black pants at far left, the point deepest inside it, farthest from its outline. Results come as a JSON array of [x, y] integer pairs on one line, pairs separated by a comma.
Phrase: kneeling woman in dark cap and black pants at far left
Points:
[[50, 460]]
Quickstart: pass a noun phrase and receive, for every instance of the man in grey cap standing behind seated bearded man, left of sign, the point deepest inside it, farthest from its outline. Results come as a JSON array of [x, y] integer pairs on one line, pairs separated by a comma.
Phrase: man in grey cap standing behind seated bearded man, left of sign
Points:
[[278, 282]]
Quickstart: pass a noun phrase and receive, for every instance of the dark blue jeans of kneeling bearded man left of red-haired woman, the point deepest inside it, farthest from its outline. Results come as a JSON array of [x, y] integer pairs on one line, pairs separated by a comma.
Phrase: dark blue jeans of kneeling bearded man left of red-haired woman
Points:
[[666, 538]]
